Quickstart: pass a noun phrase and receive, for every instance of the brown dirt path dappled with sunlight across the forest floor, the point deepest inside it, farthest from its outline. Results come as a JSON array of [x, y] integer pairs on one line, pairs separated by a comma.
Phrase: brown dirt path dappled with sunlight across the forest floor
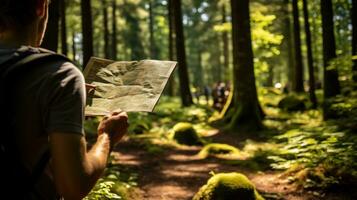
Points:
[[177, 174]]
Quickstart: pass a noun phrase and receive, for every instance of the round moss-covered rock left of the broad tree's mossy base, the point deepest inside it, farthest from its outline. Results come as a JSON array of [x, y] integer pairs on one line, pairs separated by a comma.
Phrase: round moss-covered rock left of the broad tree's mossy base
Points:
[[184, 133]]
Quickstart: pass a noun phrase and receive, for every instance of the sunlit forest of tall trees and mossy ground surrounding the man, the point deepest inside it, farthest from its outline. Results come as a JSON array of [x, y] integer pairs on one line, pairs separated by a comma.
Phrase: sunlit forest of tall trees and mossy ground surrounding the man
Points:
[[262, 104]]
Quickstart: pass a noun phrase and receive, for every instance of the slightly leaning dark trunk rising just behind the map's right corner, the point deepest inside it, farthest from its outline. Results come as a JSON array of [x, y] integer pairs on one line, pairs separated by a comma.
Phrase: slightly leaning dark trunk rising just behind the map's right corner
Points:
[[186, 96]]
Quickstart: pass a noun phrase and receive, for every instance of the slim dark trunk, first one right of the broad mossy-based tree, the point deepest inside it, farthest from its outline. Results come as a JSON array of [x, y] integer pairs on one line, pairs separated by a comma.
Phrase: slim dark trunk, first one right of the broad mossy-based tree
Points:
[[289, 44]]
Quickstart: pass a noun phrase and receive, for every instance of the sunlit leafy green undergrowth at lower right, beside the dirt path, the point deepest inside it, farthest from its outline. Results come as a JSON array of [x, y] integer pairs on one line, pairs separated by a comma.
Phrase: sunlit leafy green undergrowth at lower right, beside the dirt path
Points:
[[327, 157]]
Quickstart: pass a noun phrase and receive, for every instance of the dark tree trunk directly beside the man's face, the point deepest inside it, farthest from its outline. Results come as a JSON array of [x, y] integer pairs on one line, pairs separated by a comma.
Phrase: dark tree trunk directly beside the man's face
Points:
[[50, 40]]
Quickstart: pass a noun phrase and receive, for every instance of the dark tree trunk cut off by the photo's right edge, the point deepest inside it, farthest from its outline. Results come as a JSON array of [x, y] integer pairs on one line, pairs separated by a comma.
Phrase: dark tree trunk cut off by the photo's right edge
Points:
[[354, 38]]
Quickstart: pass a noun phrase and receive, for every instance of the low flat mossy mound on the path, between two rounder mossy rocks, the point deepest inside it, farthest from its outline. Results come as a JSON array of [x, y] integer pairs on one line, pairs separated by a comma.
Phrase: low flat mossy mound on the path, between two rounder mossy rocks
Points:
[[217, 149]]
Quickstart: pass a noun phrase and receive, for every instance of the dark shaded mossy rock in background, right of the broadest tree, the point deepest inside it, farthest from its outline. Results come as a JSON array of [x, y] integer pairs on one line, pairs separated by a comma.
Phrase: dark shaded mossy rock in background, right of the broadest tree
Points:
[[292, 103]]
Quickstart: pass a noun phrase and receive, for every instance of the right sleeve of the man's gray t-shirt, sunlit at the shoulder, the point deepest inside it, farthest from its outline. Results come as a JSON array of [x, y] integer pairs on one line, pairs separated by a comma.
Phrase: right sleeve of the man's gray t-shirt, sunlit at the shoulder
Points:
[[65, 100]]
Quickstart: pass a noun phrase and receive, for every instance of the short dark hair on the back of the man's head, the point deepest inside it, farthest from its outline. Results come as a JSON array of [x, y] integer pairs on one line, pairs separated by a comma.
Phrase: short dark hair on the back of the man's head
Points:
[[16, 13]]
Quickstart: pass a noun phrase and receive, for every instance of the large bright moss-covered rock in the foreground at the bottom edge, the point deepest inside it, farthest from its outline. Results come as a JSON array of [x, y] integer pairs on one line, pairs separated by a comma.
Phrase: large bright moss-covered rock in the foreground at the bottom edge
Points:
[[228, 186]]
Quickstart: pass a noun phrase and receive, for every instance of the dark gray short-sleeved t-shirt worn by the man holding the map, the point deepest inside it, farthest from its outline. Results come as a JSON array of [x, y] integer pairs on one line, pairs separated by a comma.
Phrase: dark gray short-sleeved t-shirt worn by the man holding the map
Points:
[[49, 98]]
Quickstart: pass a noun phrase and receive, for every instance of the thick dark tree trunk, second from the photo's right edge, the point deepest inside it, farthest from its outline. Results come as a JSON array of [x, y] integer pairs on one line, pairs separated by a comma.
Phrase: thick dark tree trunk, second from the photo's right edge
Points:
[[331, 83]]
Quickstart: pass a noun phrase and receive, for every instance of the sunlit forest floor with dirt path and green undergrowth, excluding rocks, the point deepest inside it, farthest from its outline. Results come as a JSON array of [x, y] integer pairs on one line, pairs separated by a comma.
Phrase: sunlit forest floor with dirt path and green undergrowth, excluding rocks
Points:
[[297, 157]]
